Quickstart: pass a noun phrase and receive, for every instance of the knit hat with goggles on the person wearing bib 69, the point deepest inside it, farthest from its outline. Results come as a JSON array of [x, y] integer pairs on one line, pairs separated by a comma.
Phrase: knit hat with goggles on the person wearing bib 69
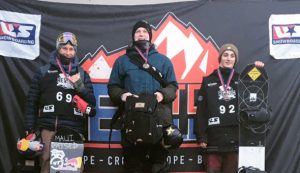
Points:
[[66, 37]]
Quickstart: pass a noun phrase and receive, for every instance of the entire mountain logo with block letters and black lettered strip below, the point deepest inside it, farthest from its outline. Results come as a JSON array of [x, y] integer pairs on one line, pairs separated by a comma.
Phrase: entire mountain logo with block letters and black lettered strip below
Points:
[[191, 52]]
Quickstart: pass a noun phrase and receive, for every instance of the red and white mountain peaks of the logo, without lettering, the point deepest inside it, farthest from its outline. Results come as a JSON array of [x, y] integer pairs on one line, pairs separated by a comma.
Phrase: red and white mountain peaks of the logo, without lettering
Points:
[[192, 54]]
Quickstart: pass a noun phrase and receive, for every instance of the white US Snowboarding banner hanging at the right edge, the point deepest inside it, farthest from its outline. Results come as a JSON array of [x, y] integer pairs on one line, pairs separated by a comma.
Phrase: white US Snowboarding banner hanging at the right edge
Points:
[[284, 36]]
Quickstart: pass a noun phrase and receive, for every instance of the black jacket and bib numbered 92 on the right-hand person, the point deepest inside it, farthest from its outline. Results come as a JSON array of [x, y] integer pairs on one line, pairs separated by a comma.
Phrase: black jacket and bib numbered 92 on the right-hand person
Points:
[[216, 116]]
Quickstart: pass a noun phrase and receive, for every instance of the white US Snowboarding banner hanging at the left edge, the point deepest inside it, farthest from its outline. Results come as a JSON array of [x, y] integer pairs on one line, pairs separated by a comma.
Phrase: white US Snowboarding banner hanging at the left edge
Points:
[[19, 35]]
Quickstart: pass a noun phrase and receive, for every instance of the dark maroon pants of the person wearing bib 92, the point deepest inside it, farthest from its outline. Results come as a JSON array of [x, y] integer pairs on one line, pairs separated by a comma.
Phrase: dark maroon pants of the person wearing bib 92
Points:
[[226, 162]]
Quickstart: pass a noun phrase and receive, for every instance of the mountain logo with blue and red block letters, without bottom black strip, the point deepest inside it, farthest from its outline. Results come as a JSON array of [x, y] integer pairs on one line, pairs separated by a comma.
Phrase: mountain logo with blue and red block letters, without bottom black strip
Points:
[[193, 56]]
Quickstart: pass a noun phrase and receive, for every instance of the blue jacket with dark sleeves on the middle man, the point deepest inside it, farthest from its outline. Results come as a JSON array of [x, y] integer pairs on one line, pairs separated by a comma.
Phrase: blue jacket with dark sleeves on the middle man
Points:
[[128, 77]]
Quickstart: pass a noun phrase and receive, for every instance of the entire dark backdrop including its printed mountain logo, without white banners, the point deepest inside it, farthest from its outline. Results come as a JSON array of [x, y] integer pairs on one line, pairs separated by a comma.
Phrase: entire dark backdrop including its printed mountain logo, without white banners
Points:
[[190, 34]]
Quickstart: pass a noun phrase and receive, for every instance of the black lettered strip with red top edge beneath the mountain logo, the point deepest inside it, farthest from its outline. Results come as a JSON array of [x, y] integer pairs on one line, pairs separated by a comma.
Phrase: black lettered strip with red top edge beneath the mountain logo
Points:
[[187, 158]]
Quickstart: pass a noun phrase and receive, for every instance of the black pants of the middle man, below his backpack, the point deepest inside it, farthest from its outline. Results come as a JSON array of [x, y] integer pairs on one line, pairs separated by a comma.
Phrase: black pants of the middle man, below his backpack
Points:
[[145, 159]]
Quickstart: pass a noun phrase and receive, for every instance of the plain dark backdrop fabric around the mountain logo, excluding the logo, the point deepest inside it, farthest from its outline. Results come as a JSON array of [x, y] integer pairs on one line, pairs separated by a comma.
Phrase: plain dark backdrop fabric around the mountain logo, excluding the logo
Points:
[[244, 23]]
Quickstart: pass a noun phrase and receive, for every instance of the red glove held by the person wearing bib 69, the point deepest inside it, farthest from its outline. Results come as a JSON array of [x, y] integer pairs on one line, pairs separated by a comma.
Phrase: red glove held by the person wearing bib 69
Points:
[[83, 106]]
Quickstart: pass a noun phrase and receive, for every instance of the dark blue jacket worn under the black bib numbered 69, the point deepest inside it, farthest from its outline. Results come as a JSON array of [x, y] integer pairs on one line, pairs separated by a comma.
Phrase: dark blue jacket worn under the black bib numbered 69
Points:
[[33, 120]]
